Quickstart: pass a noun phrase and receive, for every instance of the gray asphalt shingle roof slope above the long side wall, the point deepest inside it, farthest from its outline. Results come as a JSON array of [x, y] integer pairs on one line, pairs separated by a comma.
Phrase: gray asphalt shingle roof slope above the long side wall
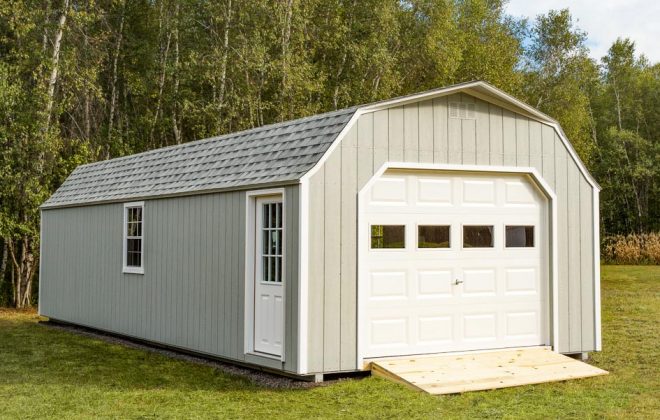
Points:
[[270, 154]]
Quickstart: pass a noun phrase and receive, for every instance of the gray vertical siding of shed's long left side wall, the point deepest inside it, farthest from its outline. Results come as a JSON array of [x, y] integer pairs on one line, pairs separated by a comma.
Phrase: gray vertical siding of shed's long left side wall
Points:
[[191, 295]]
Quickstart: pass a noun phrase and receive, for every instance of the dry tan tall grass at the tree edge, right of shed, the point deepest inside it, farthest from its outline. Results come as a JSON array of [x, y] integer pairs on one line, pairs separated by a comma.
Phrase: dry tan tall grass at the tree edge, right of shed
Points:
[[632, 249]]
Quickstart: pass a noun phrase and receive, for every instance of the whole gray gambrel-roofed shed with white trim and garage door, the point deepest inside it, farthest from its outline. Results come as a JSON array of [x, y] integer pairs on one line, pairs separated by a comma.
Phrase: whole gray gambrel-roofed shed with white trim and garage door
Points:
[[457, 219]]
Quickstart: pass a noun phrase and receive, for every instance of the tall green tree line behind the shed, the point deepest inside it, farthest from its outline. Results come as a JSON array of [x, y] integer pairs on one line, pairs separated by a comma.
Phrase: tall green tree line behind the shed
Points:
[[82, 81]]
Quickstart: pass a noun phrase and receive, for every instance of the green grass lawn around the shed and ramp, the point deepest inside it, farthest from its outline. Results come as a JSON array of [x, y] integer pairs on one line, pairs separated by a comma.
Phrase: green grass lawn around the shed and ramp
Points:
[[45, 372]]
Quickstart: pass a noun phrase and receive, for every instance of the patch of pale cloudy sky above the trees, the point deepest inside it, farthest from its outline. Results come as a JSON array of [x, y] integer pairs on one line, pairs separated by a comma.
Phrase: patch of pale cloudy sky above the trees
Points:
[[604, 21]]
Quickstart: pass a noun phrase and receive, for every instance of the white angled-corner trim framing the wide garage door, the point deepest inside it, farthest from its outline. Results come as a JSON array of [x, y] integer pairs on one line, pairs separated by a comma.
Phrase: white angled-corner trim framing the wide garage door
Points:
[[552, 259]]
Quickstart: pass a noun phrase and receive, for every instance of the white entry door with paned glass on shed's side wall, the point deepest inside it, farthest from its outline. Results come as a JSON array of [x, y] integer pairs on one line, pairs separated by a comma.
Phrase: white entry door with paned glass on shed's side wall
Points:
[[269, 276]]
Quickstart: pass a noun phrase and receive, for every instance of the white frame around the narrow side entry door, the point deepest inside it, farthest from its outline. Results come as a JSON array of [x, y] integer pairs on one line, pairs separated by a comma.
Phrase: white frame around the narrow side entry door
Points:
[[250, 259]]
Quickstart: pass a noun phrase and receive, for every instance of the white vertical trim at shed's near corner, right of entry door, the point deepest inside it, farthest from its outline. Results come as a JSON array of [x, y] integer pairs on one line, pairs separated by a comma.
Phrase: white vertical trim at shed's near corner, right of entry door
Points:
[[303, 275]]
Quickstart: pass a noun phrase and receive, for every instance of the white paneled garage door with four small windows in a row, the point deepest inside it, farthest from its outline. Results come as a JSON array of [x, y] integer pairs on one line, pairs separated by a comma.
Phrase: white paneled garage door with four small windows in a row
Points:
[[452, 262]]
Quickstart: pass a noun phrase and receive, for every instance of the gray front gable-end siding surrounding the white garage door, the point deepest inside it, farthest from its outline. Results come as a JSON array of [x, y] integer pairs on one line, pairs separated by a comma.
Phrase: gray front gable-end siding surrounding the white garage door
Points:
[[422, 132]]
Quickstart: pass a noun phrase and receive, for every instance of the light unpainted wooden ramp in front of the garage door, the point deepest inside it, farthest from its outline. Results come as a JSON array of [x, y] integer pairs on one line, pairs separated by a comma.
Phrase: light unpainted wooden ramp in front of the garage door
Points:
[[451, 374]]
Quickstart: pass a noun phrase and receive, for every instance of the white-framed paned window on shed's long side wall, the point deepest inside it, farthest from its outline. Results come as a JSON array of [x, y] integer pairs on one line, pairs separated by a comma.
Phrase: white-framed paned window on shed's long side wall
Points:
[[133, 238]]
